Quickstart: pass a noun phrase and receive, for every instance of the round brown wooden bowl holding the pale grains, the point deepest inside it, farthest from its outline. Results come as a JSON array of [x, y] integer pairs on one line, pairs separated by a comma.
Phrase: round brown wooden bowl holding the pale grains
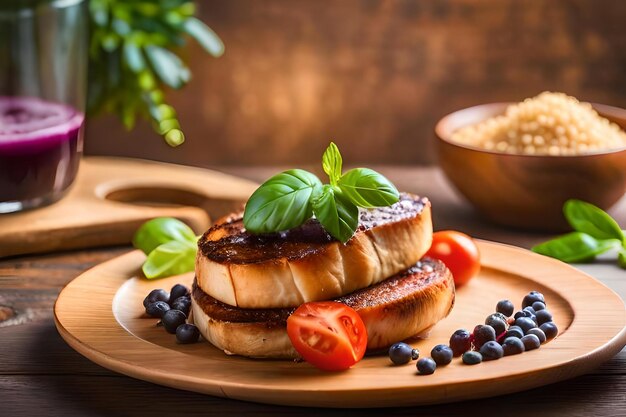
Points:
[[528, 191]]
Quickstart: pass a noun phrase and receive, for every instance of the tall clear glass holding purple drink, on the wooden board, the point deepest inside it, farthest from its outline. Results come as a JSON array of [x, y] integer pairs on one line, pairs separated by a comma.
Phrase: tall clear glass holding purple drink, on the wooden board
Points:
[[43, 69]]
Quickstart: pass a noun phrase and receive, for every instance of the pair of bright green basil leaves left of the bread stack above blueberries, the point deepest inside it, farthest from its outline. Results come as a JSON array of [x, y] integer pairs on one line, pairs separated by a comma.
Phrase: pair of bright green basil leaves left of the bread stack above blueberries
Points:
[[171, 247]]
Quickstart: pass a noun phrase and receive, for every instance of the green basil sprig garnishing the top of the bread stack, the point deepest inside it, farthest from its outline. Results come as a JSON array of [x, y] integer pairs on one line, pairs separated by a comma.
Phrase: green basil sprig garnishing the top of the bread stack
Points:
[[290, 198]]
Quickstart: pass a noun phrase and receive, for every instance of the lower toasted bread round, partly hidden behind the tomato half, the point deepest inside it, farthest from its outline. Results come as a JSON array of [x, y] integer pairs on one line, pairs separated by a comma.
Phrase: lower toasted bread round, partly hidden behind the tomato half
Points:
[[398, 308]]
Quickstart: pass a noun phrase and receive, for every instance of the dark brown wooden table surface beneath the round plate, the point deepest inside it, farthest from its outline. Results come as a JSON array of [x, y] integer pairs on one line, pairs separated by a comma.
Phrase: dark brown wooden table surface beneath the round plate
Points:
[[41, 375]]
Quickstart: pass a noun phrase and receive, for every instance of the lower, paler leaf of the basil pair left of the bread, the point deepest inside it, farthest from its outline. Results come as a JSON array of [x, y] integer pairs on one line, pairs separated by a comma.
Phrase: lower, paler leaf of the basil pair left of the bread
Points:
[[172, 258]]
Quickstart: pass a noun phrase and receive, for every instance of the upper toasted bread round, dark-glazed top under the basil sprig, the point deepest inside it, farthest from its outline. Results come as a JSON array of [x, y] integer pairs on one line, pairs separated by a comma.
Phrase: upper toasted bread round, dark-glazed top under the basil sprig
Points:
[[304, 264]]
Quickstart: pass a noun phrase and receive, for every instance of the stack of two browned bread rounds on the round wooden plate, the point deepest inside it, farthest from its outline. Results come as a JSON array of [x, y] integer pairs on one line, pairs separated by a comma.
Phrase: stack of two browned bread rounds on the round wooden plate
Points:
[[247, 285]]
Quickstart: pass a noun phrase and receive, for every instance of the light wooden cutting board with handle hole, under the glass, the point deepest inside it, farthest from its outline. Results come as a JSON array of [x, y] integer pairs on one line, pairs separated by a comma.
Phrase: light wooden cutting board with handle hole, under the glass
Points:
[[112, 197]]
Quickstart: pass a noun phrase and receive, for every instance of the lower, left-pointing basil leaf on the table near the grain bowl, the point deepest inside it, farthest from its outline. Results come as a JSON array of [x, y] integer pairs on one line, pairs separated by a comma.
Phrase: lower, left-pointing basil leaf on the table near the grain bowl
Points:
[[575, 247]]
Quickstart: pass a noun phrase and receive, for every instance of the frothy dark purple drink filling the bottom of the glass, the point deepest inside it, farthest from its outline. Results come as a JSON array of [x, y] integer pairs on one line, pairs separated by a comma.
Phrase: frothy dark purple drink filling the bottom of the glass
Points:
[[40, 147]]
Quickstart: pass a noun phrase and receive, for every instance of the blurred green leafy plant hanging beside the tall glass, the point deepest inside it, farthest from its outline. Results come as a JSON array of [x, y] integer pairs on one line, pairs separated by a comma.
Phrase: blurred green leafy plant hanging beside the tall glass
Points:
[[131, 59]]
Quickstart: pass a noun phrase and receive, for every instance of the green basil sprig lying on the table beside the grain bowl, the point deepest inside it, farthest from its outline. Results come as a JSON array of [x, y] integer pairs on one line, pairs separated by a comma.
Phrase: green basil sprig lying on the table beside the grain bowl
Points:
[[595, 232]]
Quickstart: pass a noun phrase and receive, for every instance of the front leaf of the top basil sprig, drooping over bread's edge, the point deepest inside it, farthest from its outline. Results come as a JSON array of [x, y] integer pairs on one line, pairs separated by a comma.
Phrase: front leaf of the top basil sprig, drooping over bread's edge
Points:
[[338, 215]]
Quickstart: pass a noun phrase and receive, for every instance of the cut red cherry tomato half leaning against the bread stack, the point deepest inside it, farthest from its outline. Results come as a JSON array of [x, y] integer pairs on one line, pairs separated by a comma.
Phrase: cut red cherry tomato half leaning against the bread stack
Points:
[[328, 335]]
